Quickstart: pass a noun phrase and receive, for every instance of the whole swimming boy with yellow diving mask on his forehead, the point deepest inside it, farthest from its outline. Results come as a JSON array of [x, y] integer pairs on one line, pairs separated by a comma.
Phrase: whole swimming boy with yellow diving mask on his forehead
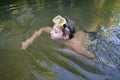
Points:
[[63, 31]]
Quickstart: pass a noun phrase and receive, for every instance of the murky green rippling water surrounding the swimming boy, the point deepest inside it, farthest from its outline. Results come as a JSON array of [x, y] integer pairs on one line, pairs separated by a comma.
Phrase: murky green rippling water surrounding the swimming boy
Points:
[[41, 61]]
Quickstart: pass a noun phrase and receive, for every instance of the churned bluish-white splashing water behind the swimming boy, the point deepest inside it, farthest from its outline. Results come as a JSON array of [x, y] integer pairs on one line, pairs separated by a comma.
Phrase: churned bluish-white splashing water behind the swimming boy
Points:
[[106, 47]]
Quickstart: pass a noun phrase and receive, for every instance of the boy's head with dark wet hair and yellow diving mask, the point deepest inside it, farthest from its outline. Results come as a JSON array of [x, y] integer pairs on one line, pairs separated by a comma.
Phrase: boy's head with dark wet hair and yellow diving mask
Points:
[[63, 28]]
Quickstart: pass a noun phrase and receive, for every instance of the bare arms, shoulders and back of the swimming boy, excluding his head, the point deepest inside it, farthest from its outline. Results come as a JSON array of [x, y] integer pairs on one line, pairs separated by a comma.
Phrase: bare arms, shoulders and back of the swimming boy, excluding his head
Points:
[[76, 44]]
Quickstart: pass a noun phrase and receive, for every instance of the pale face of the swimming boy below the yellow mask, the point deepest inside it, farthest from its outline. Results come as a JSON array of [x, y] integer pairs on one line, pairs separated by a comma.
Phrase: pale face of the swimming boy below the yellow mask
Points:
[[56, 33]]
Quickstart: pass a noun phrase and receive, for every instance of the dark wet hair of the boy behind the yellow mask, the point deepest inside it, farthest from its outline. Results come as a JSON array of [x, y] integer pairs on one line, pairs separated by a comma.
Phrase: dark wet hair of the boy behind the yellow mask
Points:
[[71, 26]]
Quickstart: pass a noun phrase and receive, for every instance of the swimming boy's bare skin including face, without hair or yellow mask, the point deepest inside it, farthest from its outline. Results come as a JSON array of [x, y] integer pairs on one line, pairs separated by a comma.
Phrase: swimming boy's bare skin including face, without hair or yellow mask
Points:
[[76, 43]]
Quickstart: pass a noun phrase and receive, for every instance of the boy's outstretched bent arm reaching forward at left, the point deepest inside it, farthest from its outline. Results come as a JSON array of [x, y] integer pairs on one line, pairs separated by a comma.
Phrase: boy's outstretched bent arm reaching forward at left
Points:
[[35, 35]]
